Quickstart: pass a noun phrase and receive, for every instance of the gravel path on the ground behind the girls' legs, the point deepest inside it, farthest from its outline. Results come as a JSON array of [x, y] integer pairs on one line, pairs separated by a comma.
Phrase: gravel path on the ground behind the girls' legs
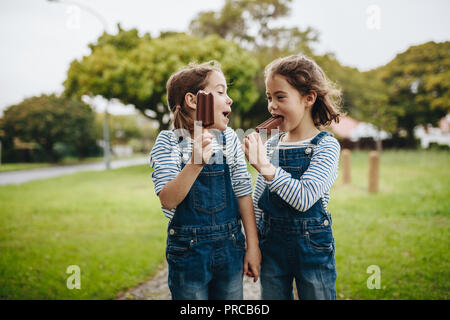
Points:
[[157, 289]]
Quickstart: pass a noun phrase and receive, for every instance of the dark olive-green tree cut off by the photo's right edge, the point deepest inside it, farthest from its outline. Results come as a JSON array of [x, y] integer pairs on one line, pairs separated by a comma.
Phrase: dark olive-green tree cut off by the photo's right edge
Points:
[[419, 84]]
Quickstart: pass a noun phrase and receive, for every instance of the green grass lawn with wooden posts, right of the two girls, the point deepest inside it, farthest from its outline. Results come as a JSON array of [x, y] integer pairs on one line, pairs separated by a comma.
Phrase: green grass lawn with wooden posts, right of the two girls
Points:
[[404, 229]]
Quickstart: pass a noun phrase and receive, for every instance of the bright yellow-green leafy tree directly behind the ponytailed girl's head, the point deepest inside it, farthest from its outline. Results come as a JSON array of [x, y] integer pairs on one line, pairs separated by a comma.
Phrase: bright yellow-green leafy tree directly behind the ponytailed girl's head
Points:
[[136, 71]]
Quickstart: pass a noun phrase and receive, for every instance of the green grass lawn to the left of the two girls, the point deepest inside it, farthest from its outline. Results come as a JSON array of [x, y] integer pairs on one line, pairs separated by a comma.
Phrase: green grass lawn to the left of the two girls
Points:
[[107, 223]]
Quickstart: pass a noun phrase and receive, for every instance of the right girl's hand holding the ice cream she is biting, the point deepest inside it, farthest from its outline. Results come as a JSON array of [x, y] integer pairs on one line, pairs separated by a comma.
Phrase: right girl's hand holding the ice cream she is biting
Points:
[[255, 152]]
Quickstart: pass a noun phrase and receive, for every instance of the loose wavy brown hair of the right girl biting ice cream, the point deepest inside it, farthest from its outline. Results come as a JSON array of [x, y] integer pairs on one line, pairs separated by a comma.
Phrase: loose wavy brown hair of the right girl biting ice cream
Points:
[[305, 75]]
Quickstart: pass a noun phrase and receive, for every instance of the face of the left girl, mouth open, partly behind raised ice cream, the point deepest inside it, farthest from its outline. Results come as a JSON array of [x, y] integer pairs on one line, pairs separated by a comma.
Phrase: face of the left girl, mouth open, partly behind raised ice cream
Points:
[[217, 85]]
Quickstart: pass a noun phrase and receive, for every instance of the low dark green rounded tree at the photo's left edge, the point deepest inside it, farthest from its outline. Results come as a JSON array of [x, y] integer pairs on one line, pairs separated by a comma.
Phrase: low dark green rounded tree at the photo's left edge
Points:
[[48, 119]]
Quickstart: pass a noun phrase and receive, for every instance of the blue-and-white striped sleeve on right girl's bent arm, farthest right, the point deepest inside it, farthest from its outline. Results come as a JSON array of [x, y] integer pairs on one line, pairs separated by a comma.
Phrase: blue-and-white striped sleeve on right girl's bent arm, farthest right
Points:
[[302, 193]]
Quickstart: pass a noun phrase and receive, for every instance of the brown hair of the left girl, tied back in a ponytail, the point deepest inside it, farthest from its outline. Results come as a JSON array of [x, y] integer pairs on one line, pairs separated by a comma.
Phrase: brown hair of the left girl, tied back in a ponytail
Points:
[[191, 79]]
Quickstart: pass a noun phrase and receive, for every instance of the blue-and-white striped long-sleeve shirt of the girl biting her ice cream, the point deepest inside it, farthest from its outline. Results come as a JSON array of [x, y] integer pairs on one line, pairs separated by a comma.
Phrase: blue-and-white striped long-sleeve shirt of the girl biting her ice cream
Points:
[[314, 184]]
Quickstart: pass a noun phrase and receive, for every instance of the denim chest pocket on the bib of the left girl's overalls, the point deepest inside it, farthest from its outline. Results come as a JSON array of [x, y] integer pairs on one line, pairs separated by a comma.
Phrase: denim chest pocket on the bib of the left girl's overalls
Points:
[[209, 191]]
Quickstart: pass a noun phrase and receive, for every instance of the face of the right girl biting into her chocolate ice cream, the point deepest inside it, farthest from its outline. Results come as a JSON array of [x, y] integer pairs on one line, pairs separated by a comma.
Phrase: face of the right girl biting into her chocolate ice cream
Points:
[[284, 100]]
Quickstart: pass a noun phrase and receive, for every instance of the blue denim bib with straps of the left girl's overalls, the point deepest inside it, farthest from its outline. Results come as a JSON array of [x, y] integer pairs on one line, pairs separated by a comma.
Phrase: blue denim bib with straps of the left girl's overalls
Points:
[[211, 199]]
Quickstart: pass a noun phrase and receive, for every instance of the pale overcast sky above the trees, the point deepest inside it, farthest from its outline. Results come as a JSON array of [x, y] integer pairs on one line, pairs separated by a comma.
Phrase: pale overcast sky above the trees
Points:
[[39, 39]]
